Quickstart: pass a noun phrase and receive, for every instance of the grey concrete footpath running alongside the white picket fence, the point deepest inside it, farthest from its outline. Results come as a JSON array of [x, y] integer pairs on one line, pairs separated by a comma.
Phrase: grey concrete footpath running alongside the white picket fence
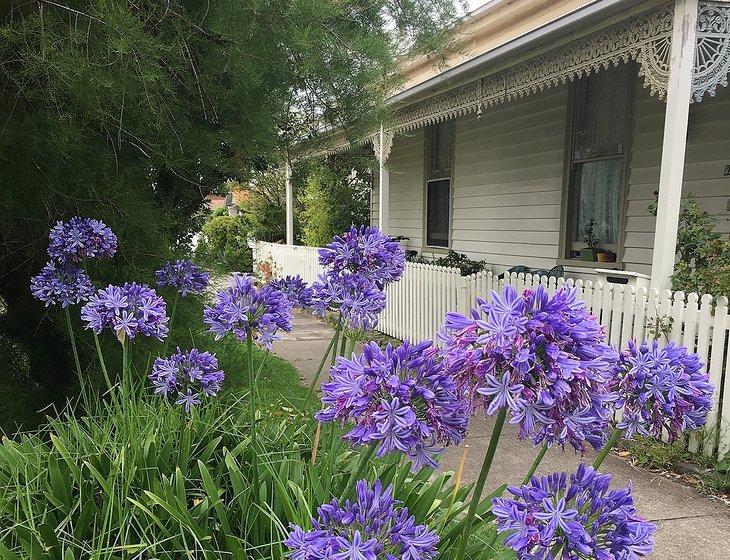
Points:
[[691, 527]]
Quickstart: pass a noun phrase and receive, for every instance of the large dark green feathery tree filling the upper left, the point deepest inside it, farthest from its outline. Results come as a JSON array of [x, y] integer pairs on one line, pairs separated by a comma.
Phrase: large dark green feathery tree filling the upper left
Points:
[[131, 112]]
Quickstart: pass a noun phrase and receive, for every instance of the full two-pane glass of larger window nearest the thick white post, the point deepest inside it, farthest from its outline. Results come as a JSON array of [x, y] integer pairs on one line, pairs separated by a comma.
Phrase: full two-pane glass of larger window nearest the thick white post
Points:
[[600, 129]]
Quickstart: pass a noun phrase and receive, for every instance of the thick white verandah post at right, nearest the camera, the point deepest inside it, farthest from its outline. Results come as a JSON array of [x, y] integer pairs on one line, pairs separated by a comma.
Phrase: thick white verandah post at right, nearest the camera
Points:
[[679, 88]]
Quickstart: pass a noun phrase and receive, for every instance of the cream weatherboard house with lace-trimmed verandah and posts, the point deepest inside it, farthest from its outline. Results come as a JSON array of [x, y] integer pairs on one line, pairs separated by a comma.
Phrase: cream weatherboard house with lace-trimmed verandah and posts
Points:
[[552, 116]]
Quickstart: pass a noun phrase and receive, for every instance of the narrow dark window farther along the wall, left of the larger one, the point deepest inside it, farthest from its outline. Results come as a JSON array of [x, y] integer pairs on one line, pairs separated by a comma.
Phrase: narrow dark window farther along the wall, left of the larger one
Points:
[[439, 159]]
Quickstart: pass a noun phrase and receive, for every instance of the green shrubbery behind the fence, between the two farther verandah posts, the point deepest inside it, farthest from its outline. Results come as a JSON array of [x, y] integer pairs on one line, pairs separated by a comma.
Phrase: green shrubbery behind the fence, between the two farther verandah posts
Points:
[[336, 195]]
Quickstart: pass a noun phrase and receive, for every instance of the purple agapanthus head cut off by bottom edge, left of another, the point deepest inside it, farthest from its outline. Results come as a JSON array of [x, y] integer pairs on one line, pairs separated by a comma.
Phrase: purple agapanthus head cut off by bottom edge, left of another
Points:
[[372, 527]]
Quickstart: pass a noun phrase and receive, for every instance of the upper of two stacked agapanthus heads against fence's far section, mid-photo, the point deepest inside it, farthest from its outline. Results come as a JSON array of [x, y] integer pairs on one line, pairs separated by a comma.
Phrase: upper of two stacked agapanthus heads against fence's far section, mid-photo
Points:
[[365, 251]]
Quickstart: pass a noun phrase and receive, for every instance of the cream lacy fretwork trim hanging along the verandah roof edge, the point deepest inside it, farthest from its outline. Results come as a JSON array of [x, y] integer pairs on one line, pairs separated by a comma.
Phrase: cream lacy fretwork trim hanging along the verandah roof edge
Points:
[[645, 38]]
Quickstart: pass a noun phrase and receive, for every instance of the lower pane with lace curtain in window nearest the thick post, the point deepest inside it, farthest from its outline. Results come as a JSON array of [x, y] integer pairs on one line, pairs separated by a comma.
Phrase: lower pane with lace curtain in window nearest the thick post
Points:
[[597, 197]]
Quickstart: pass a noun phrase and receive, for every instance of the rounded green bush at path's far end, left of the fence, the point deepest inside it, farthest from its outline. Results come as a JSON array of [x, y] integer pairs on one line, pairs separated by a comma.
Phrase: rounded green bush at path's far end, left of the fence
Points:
[[223, 245]]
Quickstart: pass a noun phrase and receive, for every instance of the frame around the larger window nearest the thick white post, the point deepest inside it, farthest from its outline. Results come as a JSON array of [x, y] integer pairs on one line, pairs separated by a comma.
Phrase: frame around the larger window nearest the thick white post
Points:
[[569, 209]]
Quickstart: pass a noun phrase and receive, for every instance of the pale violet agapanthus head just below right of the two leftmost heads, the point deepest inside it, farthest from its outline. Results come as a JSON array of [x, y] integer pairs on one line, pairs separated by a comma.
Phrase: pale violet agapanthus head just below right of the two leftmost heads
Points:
[[129, 310]]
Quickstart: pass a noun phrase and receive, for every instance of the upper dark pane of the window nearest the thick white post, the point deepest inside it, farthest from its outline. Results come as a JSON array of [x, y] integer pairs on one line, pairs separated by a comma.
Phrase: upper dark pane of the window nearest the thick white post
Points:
[[600, 117]]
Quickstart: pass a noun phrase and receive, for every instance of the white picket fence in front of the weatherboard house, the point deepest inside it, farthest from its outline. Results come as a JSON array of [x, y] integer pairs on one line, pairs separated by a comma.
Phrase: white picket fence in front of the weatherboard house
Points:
[[418, 302]]
